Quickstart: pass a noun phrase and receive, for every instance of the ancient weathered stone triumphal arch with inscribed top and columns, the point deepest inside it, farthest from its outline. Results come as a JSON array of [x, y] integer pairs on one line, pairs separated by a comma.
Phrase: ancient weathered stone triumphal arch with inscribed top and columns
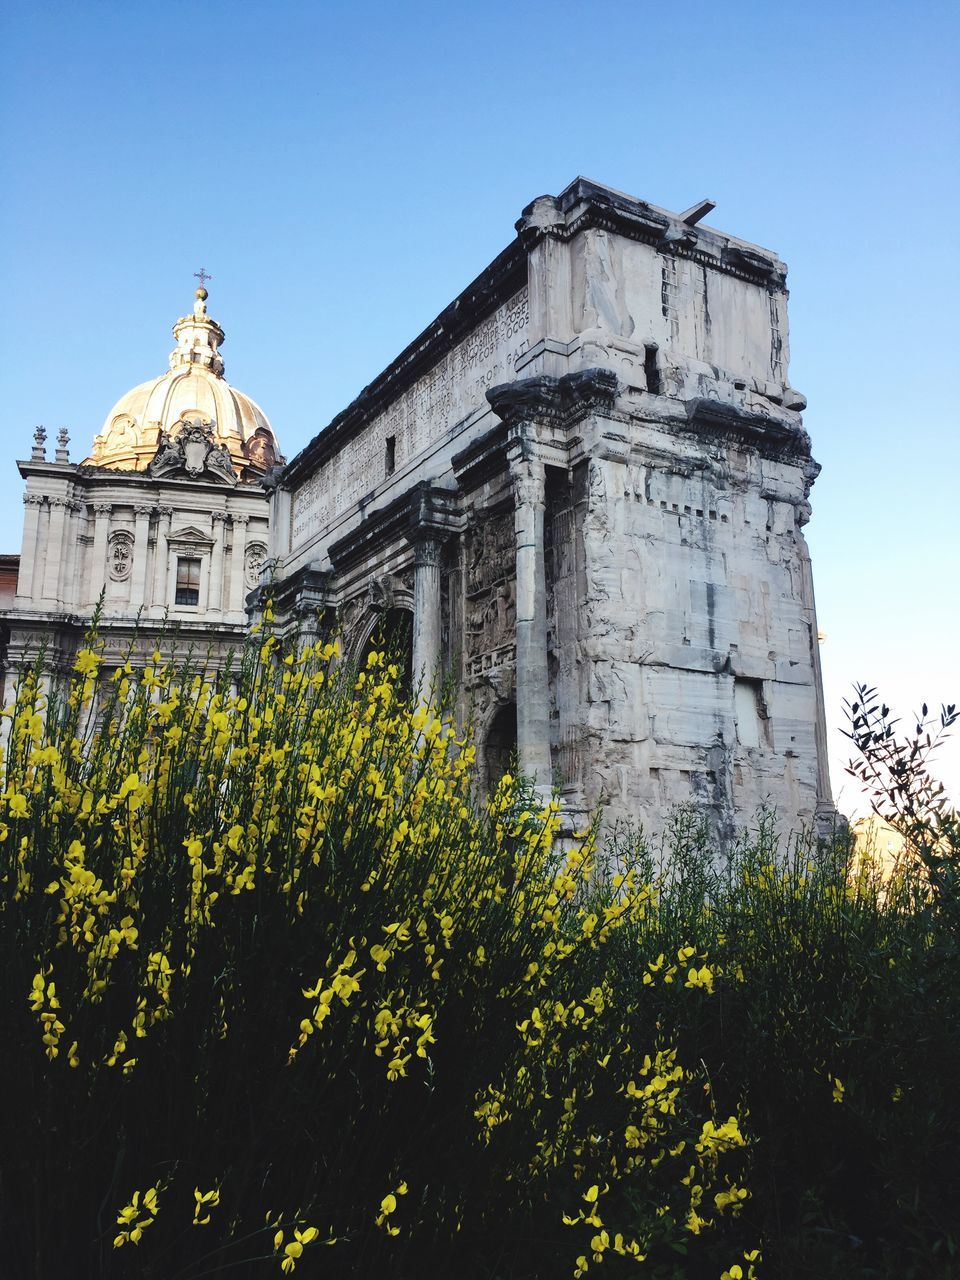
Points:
[[582, 491]]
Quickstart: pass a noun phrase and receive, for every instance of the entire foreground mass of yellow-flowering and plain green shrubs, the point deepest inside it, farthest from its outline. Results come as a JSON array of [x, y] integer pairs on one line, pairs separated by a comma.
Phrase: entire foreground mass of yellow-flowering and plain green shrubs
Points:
[[280, 996]]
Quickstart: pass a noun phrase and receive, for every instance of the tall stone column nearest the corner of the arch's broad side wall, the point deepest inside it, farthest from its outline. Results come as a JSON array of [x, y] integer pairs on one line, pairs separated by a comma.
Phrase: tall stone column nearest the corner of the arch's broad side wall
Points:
[[533, 680]]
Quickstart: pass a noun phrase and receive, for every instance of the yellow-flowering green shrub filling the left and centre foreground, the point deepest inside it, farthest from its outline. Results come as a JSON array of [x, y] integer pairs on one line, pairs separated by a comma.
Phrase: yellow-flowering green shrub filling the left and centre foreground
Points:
[[277, 994]]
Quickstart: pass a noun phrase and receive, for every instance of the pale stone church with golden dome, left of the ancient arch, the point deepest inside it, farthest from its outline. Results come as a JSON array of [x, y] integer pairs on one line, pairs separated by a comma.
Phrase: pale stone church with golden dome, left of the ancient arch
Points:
[[166, 522]]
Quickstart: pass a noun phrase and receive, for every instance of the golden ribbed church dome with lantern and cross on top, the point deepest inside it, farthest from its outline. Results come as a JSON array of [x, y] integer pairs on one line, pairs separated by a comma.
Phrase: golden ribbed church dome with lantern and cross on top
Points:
[[194, 392]]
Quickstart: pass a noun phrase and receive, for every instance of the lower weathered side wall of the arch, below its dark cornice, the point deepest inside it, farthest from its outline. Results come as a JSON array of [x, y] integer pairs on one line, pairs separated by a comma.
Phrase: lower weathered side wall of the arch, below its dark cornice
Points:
[[697, 647]]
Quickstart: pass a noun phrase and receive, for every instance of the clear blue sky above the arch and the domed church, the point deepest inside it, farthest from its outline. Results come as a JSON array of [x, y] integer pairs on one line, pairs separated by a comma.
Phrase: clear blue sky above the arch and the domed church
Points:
[[345, 170]]
